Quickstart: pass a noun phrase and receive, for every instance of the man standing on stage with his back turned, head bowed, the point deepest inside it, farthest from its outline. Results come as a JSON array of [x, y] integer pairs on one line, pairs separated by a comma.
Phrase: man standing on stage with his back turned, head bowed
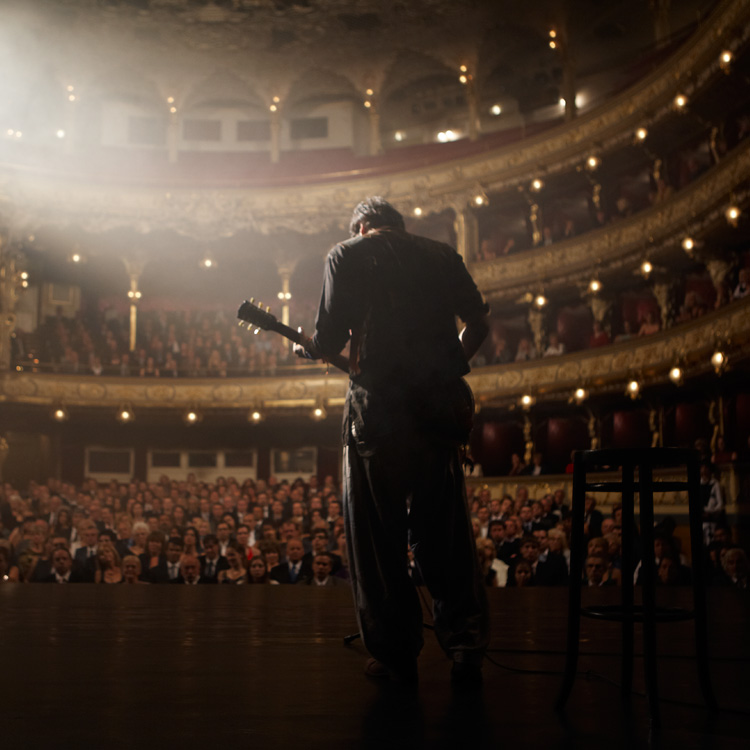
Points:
[[404, 421]]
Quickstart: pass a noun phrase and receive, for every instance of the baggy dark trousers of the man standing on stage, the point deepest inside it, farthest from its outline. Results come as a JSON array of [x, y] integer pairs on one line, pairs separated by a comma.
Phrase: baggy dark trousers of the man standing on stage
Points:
[[409, 489]]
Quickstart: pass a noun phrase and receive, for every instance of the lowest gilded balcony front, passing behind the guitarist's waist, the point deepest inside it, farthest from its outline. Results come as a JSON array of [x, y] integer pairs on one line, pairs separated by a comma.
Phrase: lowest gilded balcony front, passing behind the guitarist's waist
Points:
[[553, 377]]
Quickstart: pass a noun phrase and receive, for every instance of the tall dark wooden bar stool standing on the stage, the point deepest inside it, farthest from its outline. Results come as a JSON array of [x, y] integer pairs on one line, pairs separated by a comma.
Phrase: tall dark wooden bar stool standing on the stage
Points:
[[645, 461]]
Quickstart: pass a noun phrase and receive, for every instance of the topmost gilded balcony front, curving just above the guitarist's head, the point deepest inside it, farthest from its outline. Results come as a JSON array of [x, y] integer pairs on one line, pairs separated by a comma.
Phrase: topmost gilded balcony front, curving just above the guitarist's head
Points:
[[27, 197]]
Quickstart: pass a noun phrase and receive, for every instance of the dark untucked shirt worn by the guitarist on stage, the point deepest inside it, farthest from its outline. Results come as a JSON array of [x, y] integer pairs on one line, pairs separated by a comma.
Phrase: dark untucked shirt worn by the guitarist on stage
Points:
[[399, 295]]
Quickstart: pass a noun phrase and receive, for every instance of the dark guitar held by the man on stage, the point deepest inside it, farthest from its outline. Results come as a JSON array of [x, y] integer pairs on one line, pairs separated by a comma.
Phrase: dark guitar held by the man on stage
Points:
[[448, 411]]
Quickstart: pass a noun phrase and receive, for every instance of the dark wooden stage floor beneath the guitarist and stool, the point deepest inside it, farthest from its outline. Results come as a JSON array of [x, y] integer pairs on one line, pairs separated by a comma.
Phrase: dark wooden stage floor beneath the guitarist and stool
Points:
[[113, 667]]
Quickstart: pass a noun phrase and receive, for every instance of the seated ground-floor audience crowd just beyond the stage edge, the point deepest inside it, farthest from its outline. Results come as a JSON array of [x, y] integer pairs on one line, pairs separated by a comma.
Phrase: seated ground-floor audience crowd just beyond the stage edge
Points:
[[275, 532]]
